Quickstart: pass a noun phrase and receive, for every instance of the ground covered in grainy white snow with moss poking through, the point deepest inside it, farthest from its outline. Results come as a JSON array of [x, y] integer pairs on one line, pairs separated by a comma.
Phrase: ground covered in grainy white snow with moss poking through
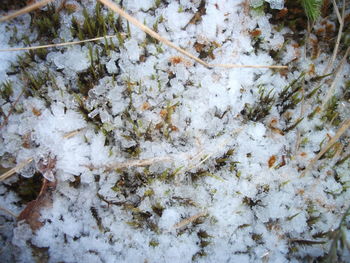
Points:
[[159, 159]]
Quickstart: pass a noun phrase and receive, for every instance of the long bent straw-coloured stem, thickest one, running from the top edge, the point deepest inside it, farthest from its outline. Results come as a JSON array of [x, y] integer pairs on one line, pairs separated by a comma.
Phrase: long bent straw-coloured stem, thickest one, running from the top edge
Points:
[[155, 35]]
